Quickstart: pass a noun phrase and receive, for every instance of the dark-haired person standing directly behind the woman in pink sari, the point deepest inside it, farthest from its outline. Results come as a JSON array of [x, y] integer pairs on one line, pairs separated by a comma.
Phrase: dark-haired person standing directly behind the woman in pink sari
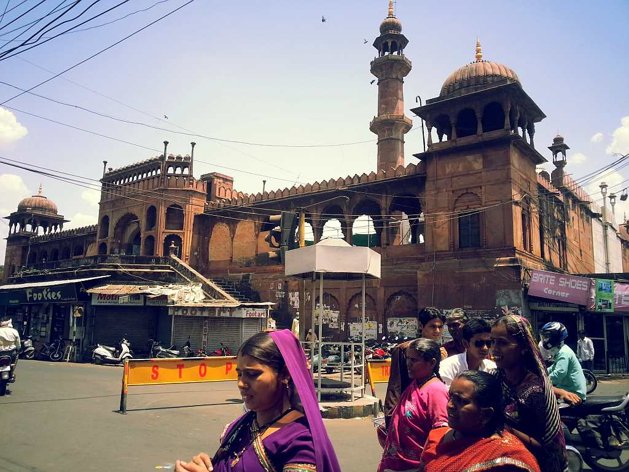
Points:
[[431, 322]]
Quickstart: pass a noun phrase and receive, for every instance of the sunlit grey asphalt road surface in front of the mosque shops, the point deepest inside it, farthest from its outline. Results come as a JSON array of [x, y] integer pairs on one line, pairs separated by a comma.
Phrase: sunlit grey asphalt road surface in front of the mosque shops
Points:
[[62, 417]]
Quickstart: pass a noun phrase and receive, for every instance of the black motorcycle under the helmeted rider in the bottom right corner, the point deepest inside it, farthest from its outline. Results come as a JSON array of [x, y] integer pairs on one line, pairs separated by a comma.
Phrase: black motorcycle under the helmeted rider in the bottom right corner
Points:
[[598, 430]]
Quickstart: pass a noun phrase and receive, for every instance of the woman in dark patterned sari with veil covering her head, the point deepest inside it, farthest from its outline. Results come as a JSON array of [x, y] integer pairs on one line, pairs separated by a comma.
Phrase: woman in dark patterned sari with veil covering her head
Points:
[[531, 411]]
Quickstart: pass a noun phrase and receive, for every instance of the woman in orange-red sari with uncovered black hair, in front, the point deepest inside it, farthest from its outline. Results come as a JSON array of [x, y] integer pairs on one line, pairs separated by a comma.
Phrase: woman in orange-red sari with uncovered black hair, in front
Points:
[[476, 438]]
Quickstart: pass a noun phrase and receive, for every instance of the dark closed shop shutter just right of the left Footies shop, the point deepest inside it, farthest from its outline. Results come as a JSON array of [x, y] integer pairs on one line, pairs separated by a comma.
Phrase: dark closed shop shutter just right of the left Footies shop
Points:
[[137, 324]]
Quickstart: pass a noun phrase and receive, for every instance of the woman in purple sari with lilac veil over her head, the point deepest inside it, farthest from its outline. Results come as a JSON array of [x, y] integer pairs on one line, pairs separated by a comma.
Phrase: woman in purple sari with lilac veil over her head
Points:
[[283, 430]]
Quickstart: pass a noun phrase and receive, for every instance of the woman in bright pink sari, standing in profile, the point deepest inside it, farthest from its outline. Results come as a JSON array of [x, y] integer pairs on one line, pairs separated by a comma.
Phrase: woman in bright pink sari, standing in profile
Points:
[[421, 408]]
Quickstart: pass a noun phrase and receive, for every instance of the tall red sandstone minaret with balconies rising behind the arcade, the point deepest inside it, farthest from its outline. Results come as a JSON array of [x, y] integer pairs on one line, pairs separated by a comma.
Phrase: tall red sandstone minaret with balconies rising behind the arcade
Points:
[[390, 67]]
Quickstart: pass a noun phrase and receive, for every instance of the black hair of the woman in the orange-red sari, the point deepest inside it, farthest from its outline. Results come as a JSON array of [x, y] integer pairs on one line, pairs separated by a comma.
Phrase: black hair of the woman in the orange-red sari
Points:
[[487, 394]]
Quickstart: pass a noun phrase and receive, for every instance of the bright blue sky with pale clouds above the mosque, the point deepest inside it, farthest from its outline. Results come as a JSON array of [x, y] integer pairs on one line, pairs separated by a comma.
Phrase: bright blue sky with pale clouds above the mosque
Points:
[[269, 91]]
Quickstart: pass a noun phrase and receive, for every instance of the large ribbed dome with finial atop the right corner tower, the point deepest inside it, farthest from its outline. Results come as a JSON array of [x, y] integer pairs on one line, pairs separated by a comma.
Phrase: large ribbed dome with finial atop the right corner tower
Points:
[[476, 74]]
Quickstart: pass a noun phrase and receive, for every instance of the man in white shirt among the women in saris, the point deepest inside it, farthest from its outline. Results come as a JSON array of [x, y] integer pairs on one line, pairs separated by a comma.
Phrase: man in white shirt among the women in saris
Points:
[[477, 342]]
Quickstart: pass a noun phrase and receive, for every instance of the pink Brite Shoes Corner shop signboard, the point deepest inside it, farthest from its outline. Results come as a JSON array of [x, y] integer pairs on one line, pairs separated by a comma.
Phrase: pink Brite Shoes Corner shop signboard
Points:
[[560, 287]]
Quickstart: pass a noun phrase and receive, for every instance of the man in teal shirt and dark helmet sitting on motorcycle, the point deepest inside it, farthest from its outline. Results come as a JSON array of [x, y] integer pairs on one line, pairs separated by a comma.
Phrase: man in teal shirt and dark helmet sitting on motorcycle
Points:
[[566, 372]]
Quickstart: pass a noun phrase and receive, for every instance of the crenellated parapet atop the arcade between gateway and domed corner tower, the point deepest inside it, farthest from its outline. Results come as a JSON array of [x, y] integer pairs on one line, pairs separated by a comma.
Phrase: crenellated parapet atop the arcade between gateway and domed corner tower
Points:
[[235, 198]]
